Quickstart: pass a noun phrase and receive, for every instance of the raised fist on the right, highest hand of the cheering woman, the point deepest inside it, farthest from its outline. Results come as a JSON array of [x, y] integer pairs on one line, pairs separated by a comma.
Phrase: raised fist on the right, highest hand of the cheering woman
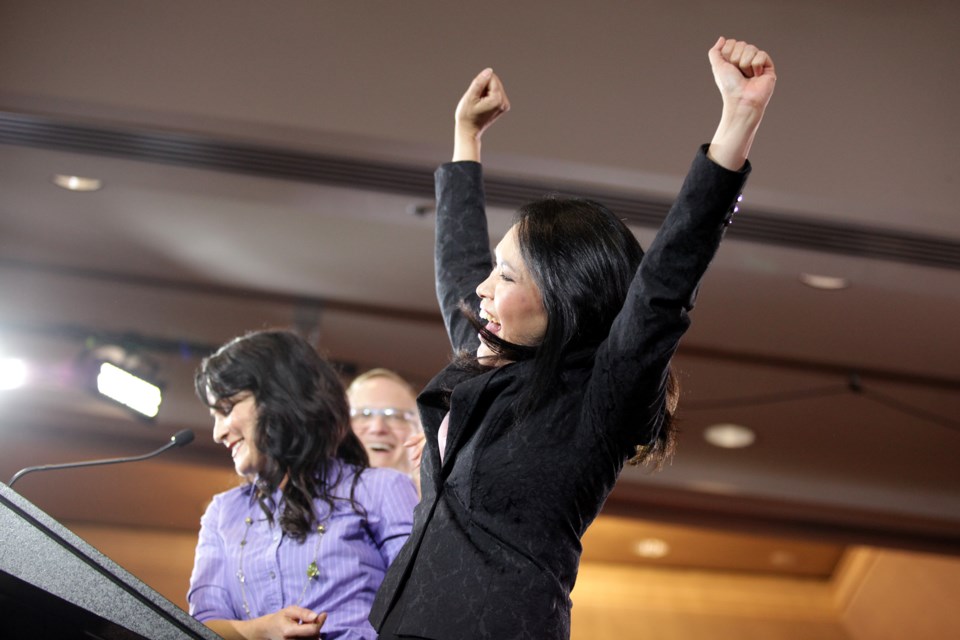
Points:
[[746, 77]]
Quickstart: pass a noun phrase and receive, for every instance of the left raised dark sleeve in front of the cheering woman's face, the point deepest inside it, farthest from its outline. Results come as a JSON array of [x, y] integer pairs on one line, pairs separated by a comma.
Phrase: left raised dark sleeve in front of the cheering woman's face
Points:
[[462, 258]]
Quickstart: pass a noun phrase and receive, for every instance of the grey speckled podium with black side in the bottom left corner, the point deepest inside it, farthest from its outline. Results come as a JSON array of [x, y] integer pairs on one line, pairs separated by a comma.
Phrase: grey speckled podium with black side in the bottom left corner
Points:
[[55, 585]]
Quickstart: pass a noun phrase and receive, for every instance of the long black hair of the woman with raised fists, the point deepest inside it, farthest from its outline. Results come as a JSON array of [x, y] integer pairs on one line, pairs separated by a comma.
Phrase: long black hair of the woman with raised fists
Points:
[[582, 258]]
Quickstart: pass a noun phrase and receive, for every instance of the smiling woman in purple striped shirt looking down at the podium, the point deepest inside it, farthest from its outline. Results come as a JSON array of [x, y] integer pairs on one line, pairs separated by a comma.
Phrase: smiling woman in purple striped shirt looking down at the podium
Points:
[[306, 542]]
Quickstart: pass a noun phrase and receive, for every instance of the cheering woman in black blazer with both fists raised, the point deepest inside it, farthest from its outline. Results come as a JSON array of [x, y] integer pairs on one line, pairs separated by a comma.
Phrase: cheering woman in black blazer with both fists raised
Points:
[[569, 378]]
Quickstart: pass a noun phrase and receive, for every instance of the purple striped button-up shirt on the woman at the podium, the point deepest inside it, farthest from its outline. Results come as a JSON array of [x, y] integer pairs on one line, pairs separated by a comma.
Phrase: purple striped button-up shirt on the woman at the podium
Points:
[[353, 555]]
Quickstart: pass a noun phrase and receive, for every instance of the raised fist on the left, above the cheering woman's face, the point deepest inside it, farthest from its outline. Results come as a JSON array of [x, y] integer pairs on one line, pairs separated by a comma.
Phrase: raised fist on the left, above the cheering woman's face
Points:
[[484, 102]]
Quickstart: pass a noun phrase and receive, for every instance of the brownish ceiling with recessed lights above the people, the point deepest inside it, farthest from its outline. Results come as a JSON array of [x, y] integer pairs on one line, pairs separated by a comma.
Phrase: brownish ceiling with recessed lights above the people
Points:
[[268, 167]]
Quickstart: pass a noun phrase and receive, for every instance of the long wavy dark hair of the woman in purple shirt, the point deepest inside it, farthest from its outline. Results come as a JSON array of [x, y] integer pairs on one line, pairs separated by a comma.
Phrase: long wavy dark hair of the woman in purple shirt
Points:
[[303, 423]]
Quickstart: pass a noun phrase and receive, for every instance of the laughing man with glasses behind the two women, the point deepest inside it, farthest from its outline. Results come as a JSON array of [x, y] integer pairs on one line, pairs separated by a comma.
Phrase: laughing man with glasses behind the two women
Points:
[[383, 412]]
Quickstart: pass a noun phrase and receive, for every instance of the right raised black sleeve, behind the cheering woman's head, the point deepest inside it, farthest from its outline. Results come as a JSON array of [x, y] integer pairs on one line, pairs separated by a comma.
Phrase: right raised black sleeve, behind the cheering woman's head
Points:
[[628, 385]]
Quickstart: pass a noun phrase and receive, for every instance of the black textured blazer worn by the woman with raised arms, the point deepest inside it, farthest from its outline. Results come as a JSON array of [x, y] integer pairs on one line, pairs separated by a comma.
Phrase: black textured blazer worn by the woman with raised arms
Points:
[[496, 539]]
